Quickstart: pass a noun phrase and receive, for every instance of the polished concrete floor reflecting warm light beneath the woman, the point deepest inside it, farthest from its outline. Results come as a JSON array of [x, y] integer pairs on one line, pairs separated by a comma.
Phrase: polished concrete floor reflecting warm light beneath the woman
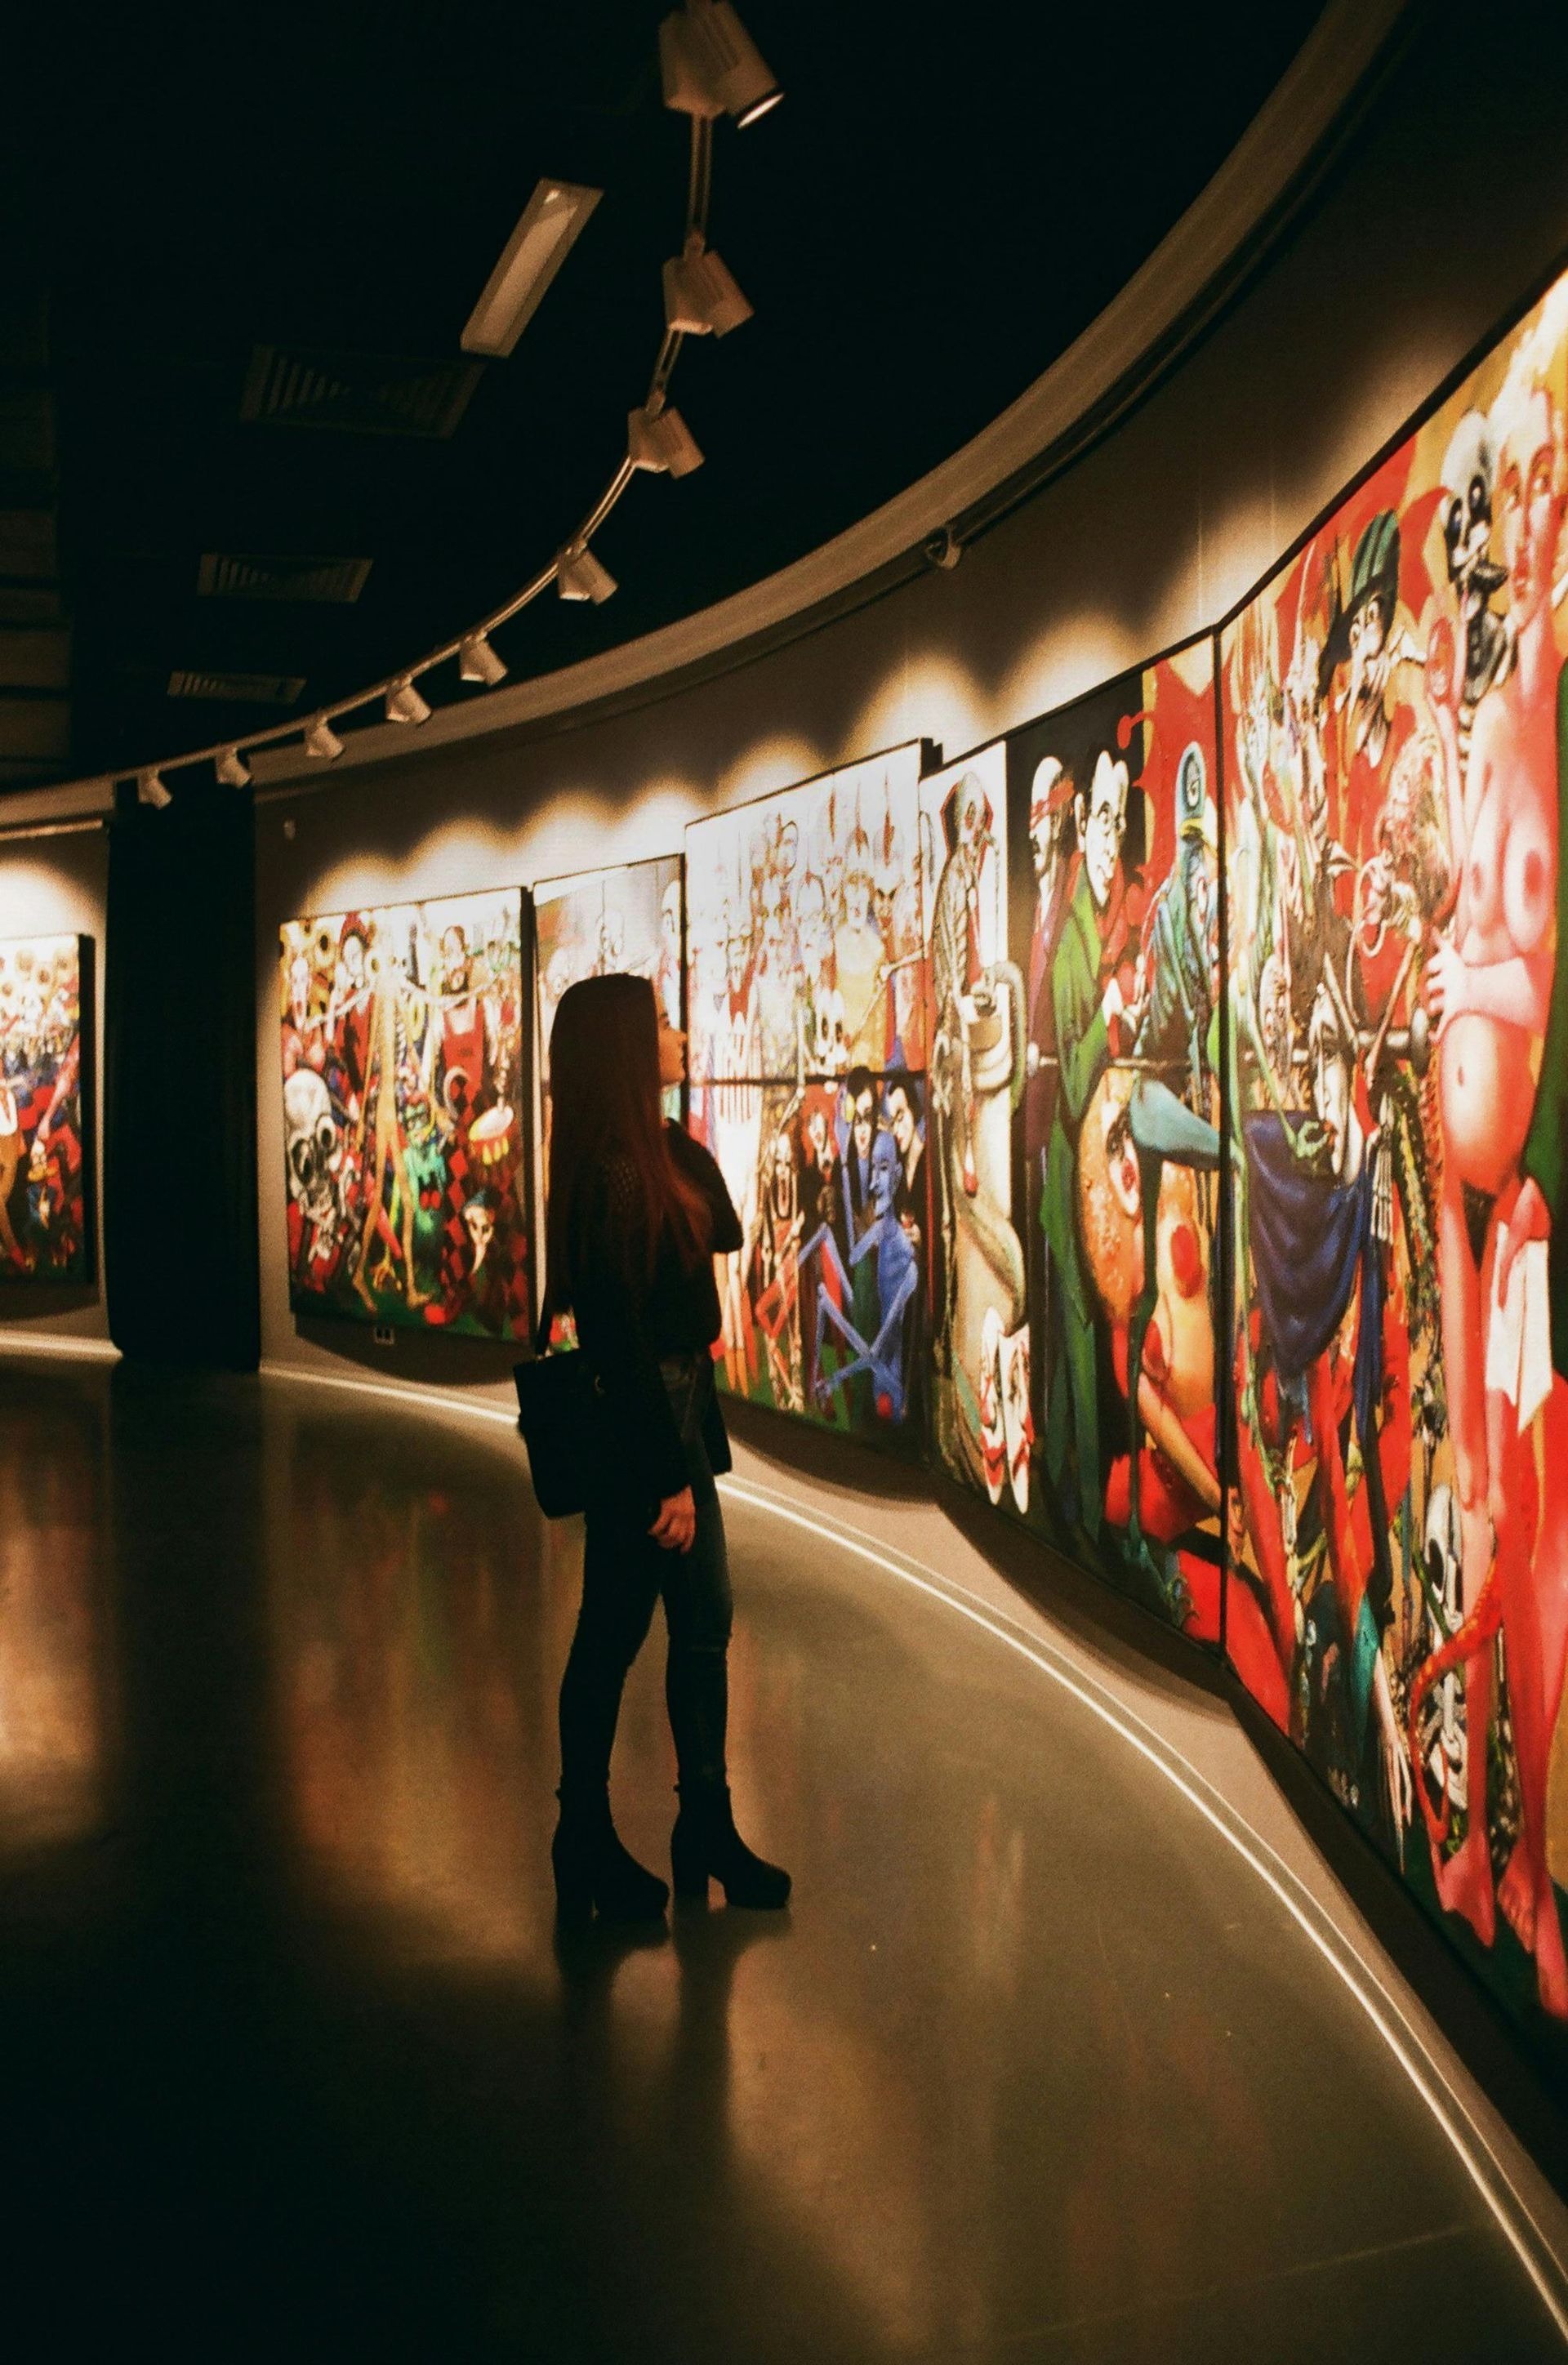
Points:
[[292, 2066]]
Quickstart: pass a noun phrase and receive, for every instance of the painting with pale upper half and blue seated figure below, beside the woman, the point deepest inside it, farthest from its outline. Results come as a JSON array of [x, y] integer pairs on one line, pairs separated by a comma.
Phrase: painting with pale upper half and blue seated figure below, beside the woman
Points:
[[808, 1082]]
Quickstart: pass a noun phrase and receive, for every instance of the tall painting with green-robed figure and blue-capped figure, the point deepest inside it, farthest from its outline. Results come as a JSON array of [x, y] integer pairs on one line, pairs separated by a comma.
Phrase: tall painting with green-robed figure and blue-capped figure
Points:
[[1115, 883]]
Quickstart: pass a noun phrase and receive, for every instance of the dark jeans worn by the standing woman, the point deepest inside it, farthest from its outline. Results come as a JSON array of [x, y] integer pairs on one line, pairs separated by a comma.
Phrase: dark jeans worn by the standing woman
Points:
[[623, 1576]]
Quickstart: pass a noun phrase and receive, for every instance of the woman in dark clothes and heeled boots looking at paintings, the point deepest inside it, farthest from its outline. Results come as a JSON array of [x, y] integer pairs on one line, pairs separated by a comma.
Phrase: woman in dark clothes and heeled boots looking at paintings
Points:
[[637, 1214]]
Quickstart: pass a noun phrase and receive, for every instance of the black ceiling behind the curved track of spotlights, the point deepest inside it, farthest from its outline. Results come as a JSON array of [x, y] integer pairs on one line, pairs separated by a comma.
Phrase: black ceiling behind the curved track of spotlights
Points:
[[938, 209]]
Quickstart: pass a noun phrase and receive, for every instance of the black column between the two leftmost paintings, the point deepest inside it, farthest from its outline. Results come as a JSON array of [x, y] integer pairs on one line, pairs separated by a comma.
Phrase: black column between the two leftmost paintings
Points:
[[179, 1169]]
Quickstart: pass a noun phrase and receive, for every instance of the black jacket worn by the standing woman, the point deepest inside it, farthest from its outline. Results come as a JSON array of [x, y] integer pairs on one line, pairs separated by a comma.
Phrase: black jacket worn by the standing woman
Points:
[[630, 1326]]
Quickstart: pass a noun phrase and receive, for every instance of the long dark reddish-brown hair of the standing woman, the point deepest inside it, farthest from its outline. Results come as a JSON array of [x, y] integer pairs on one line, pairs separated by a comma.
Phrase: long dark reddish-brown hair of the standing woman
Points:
[[607, 1106]]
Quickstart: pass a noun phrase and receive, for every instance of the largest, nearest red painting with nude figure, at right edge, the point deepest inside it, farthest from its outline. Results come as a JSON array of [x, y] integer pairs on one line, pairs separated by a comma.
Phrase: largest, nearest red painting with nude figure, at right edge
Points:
[[1397, 746]]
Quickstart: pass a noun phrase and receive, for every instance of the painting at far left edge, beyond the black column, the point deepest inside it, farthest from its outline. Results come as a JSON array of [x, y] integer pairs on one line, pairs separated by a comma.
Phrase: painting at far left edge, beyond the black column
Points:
[[44, 1167]]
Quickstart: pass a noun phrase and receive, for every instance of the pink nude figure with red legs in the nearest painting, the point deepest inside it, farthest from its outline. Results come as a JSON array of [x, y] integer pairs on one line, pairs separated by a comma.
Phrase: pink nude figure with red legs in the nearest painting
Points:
[[1489, 987]]
